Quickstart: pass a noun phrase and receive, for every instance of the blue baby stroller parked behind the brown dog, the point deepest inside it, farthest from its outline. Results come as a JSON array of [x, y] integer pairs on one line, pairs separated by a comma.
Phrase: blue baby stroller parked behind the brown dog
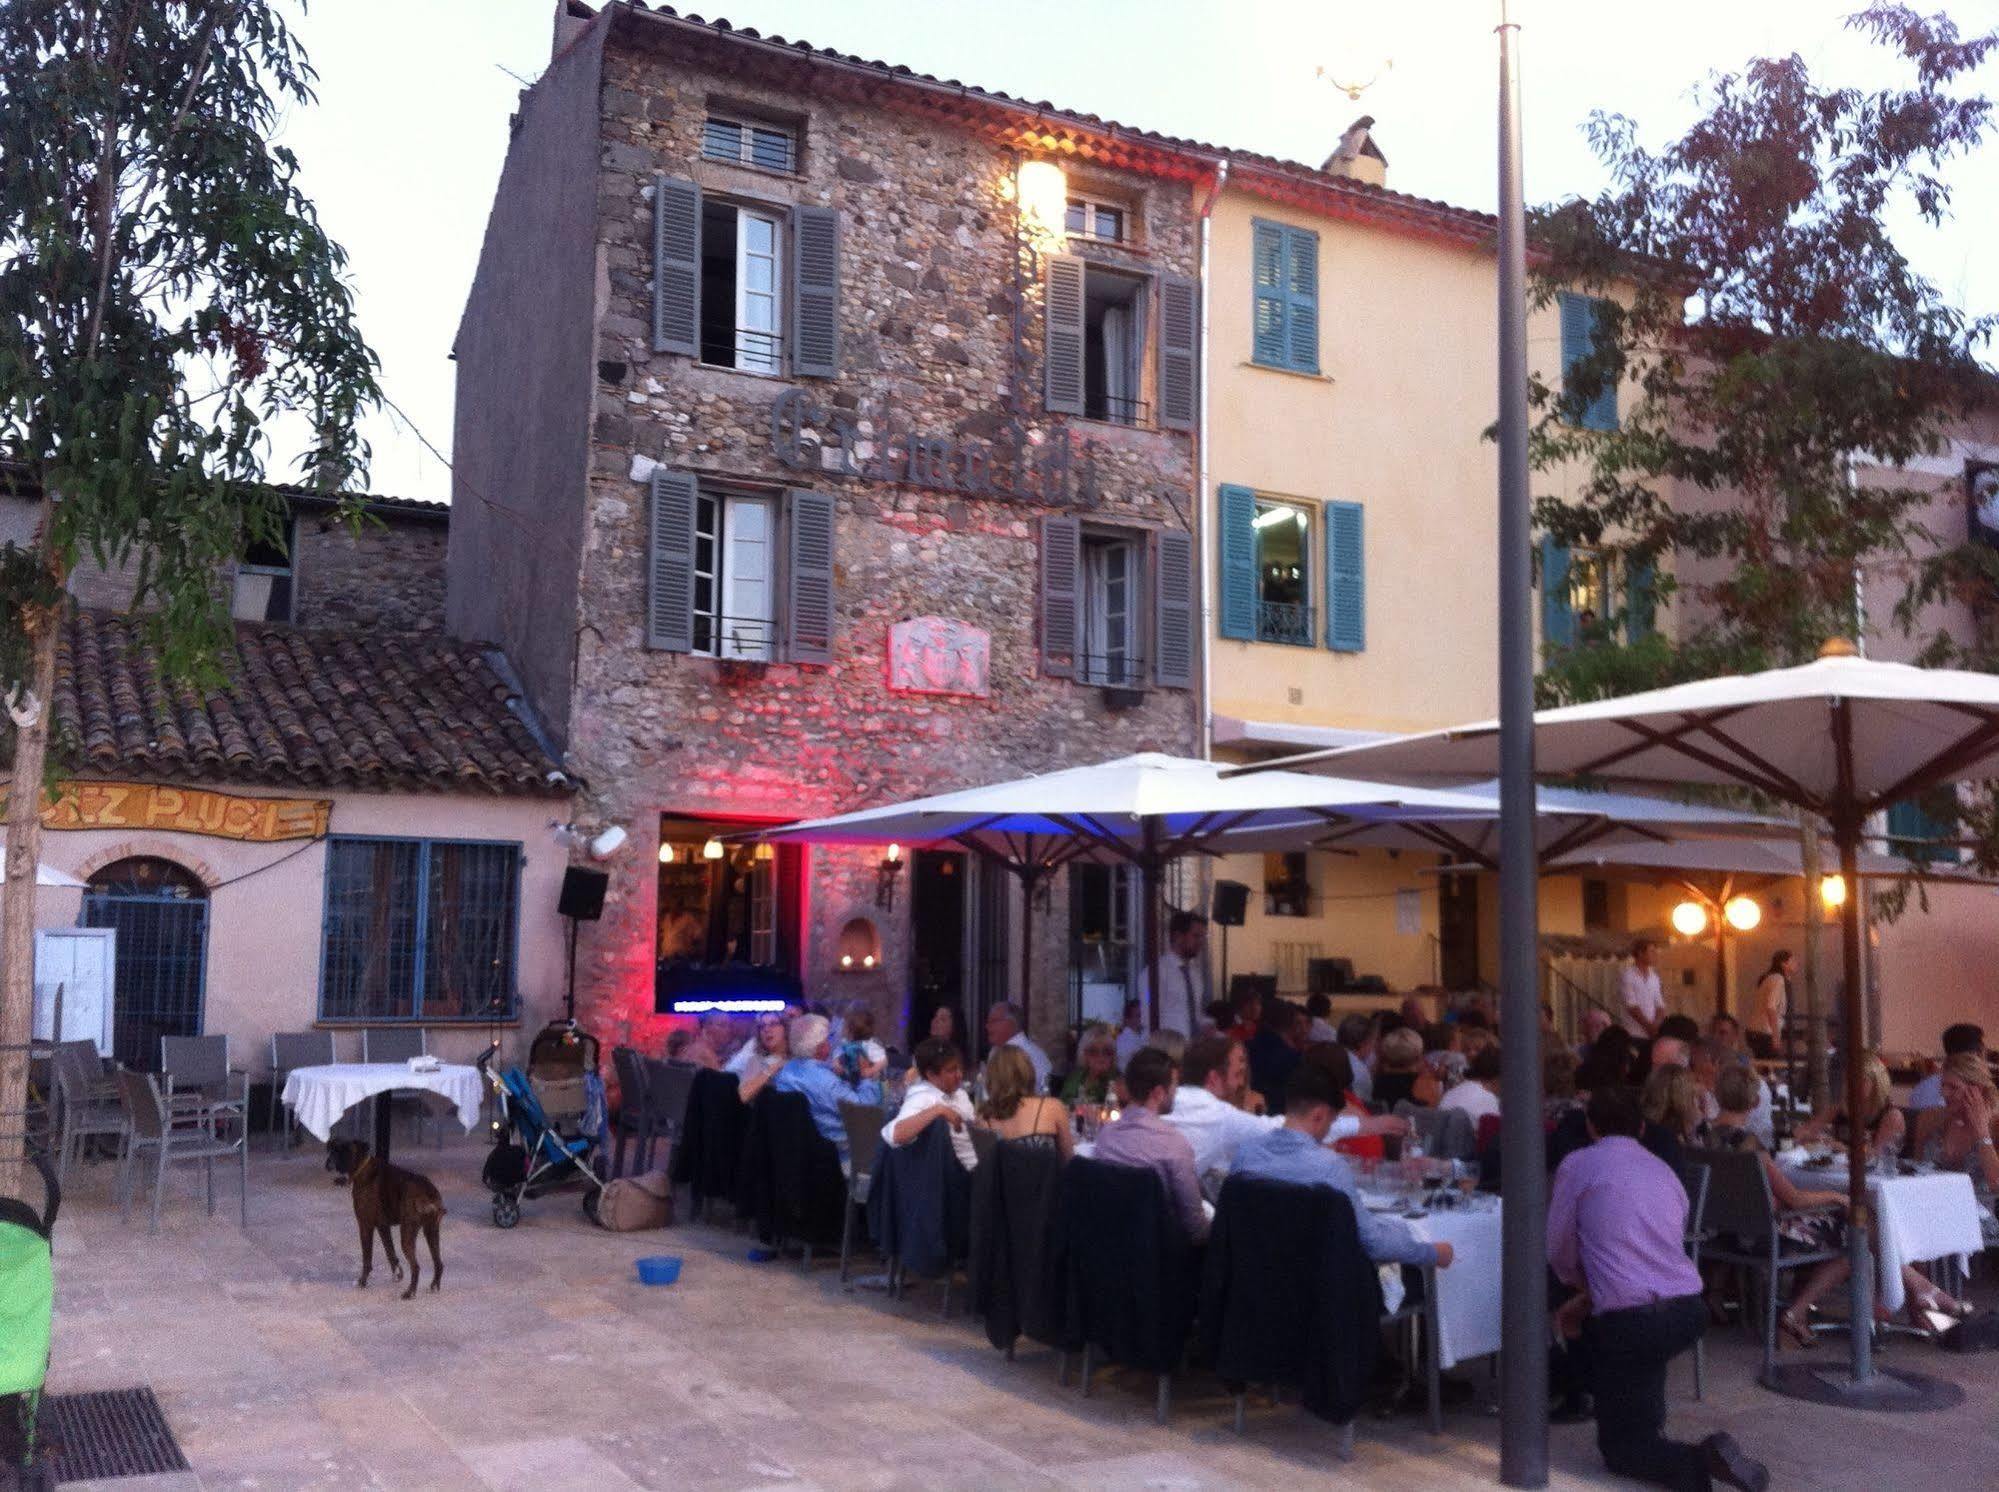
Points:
[[541, 1145]]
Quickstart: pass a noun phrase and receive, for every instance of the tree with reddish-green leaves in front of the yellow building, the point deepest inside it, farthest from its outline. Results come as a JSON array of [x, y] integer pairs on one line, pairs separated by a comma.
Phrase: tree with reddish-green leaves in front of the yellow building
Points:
[[1750, 357]]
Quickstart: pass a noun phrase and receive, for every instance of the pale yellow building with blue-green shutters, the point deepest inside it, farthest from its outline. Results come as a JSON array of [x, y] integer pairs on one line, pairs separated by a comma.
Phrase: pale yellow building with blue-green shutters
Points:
[[1350, 535]]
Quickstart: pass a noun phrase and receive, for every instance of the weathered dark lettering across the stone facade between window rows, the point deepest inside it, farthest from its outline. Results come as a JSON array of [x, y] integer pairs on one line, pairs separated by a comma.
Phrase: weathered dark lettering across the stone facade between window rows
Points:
[[1056, 473]]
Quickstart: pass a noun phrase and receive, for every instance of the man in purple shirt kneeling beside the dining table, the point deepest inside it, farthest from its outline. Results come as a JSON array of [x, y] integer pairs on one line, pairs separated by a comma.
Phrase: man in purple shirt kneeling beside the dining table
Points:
[[1616, 1235]]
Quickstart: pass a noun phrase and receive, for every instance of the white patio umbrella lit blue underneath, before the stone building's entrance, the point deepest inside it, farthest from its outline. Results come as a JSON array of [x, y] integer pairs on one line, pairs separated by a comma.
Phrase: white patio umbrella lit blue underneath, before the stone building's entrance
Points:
[[1140, 811]]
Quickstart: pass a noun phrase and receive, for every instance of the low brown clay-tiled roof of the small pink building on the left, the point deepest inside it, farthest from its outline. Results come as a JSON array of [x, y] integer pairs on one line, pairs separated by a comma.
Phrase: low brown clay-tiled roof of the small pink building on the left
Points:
[[301, 707]]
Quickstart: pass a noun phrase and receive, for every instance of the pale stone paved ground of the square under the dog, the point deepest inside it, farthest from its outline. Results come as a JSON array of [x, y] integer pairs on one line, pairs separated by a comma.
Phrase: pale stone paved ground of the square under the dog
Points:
[[545, 1365]]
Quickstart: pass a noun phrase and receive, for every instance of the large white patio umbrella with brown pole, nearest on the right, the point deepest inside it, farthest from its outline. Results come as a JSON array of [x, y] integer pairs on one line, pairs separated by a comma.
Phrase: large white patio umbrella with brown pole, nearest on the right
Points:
[[1842, 737]]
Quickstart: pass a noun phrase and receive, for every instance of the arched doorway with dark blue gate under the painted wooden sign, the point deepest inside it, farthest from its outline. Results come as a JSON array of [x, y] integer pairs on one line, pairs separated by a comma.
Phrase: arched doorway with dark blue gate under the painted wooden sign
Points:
[[161, 913]]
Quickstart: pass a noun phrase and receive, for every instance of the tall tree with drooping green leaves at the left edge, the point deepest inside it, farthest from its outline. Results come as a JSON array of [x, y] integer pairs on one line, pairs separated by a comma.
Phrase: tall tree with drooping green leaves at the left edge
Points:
[[167, 297]]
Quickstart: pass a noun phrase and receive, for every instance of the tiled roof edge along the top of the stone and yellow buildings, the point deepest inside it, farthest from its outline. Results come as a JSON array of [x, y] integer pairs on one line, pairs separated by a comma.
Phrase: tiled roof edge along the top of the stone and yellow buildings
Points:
[[1066, 129]]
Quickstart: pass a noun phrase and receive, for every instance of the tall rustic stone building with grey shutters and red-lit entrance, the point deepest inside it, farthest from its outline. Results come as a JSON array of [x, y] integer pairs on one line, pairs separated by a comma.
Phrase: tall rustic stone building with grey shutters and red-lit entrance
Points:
[[825, 437]]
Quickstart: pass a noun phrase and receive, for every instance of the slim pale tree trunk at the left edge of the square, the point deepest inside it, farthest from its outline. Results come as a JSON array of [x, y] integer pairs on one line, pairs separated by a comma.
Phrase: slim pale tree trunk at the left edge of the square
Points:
[[17, 899]]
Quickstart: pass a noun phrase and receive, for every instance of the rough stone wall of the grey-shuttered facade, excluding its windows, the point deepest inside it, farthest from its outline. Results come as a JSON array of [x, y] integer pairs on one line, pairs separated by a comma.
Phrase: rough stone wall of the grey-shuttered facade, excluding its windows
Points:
[[929, 331]]
